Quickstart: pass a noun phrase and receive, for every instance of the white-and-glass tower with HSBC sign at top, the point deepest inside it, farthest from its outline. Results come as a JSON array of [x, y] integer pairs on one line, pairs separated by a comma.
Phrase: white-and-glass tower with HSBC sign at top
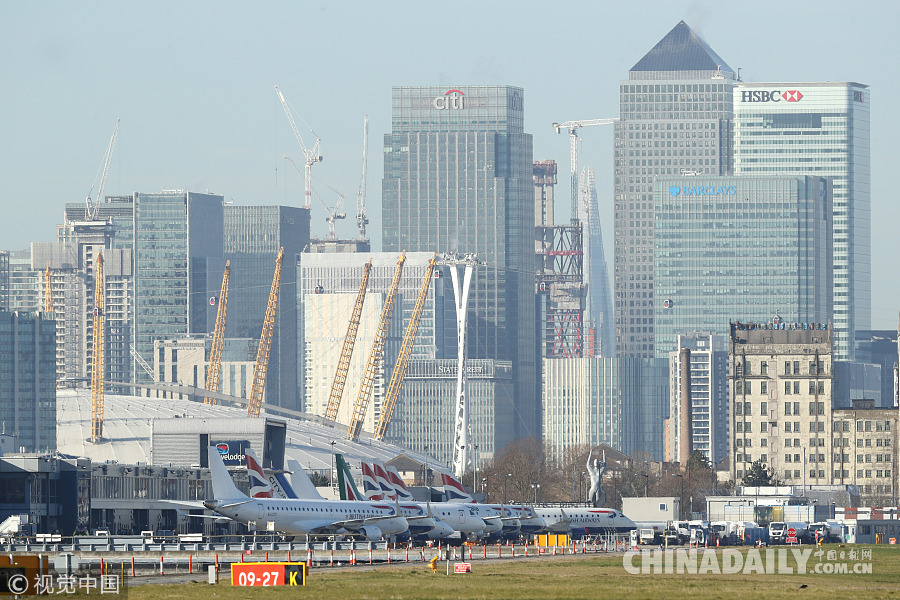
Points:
[[818, 129]]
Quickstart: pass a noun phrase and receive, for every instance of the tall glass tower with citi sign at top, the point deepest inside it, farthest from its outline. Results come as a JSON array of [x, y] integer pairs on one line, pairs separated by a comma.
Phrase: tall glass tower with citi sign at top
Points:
[[458, 178]]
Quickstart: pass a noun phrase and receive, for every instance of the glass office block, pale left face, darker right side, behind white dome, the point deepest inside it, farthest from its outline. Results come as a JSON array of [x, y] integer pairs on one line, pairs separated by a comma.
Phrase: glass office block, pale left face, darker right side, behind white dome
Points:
[[178, 264]]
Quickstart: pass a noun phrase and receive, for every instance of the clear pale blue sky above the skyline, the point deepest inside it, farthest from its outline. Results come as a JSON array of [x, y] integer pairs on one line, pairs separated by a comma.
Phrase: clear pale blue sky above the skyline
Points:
[[193, 84]]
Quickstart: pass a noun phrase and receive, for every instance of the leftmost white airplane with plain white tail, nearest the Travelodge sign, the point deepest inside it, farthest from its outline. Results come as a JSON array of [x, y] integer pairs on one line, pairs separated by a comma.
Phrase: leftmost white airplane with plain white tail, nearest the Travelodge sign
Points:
[[371, 519]]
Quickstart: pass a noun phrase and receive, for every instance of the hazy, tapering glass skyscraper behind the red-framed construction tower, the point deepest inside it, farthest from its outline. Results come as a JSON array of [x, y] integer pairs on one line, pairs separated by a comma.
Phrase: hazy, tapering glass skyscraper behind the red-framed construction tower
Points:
[[599, 316]]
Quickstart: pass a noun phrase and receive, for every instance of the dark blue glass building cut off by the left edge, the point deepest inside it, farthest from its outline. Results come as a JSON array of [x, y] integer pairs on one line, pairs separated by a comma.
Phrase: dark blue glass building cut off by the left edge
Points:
[[28, 380]]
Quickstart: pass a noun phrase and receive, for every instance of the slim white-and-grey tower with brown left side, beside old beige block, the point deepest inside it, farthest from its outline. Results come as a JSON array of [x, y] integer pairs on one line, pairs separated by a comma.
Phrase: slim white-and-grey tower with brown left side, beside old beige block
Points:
[[698, 398]]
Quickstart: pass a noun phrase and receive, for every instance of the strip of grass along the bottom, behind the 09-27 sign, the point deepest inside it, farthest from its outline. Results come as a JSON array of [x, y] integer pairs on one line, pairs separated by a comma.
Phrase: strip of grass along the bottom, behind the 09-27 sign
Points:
[[572, 577]]
